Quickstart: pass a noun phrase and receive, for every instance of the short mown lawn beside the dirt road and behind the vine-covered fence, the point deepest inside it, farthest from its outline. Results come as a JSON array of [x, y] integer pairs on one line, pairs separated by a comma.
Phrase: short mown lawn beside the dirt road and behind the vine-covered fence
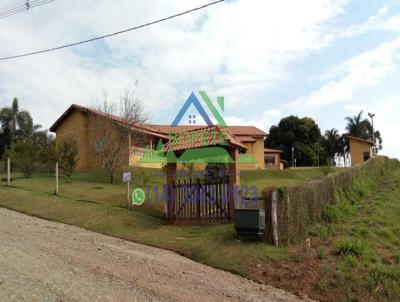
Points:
[[89, 201]]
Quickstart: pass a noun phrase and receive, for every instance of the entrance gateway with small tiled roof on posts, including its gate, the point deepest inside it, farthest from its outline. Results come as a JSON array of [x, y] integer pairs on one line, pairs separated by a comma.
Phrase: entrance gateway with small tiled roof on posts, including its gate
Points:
[[203, 141]]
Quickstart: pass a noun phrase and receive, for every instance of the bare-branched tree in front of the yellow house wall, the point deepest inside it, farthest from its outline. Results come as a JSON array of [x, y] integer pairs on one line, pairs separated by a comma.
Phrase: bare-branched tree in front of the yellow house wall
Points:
[[112, 125]]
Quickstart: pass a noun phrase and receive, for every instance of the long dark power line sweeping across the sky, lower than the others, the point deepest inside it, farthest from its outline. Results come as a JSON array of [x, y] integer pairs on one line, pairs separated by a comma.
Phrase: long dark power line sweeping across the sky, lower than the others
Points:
[[112, 34]]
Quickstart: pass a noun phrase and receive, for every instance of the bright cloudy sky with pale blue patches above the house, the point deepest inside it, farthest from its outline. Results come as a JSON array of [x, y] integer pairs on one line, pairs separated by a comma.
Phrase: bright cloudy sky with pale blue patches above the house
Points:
[[326, 59]]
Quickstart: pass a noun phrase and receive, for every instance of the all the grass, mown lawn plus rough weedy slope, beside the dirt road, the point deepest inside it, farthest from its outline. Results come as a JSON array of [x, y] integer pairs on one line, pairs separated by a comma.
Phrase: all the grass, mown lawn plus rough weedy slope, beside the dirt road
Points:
[[354, 254]]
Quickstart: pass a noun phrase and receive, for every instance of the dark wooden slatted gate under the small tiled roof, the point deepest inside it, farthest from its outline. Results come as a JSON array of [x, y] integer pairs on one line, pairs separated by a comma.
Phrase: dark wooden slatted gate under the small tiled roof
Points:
[[200, 202]]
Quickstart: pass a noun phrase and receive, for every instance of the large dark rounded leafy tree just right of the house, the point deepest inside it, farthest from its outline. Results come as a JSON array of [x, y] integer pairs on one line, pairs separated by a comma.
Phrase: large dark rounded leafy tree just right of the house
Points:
[[303, 134]]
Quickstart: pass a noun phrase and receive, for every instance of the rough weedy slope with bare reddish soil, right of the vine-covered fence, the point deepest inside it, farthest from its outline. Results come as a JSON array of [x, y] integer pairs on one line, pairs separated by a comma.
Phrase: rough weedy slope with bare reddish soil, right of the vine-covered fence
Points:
[[354, 253]]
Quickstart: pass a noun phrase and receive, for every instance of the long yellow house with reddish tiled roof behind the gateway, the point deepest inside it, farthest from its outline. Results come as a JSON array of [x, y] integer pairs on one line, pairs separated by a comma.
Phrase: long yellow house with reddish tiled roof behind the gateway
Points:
[[75, 122]]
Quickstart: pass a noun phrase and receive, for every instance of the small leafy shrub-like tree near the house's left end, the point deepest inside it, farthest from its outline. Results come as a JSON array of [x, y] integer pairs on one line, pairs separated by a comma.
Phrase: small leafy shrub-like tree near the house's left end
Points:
[[67, 156]]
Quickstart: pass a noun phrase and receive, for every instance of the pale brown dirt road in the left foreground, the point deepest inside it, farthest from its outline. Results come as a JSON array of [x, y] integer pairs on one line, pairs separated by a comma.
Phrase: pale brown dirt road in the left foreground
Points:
[[42, 260]]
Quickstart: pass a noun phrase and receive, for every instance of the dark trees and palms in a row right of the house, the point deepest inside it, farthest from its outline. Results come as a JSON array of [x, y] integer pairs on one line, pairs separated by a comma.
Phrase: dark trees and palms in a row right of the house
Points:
[[301, 138]]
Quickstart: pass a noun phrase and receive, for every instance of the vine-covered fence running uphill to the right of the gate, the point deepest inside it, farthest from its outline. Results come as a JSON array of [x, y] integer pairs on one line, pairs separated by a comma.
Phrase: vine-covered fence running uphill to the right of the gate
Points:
[[289, 211]]
